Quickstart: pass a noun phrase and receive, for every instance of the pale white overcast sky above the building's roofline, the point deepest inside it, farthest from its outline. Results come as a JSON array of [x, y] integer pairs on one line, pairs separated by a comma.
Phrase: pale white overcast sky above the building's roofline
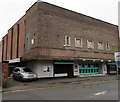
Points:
[[13, 10]]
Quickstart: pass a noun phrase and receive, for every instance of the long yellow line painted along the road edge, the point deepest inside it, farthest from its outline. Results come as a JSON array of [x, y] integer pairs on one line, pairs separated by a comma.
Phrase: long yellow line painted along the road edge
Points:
[[57, 86]]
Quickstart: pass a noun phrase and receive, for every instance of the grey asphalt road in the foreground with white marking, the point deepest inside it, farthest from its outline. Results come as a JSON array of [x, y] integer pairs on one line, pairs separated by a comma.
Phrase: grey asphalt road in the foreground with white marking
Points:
[[89, 91]]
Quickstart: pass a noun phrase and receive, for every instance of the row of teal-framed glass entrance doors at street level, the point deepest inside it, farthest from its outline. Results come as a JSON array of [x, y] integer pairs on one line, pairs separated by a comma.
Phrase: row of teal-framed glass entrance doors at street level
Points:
[[87, 69]]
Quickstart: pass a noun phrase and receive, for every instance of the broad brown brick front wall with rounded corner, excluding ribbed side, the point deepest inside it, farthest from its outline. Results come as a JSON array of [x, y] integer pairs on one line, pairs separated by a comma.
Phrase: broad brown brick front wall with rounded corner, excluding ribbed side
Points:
[[48, 25]]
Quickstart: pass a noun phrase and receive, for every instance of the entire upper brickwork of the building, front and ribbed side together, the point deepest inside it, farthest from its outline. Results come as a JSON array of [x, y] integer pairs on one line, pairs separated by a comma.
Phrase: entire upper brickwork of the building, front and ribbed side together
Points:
[[41, 33]]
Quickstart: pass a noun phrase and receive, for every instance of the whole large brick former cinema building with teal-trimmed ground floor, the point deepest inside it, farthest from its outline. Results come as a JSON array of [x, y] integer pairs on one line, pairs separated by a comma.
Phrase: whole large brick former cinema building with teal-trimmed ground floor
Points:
[[54, 41]]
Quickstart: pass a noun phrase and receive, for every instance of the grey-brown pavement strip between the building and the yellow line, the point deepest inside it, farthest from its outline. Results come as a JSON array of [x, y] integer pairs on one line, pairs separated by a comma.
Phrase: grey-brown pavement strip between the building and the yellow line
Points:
[[50, 82]]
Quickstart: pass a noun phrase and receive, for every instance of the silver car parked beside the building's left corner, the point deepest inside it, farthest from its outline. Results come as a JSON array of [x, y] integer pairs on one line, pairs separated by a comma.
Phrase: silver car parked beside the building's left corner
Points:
[[23, 73]]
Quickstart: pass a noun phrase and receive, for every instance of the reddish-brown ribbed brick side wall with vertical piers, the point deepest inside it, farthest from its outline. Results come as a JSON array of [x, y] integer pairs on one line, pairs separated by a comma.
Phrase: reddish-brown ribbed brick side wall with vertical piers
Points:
[[13, 42]]
